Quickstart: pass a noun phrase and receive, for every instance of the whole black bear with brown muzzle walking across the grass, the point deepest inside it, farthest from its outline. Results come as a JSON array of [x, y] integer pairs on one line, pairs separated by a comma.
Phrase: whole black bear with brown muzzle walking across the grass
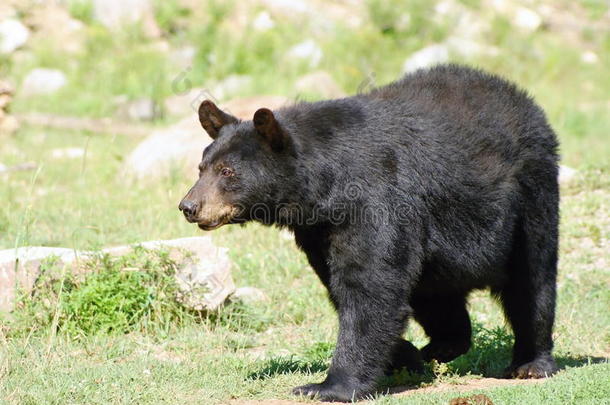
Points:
[[404, 199]]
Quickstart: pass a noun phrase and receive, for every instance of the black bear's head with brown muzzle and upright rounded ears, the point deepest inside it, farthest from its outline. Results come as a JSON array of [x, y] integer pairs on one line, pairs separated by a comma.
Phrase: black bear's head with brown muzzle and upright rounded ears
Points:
[[242, 171]]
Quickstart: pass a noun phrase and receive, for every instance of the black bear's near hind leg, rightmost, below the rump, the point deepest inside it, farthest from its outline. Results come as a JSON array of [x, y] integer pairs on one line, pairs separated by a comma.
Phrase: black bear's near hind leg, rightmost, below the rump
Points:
[[529, 295]]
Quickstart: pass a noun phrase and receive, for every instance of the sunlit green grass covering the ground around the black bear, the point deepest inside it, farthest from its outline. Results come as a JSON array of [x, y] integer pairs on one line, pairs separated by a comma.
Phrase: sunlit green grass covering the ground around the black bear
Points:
[[66, 353]]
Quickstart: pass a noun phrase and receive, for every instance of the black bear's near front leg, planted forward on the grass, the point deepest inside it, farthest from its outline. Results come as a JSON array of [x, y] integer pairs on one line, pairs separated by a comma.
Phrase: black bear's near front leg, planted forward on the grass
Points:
[[372, 303]]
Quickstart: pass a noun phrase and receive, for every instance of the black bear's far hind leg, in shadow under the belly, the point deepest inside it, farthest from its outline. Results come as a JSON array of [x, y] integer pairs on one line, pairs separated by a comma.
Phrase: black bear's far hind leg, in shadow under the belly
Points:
[[446, 322]]
